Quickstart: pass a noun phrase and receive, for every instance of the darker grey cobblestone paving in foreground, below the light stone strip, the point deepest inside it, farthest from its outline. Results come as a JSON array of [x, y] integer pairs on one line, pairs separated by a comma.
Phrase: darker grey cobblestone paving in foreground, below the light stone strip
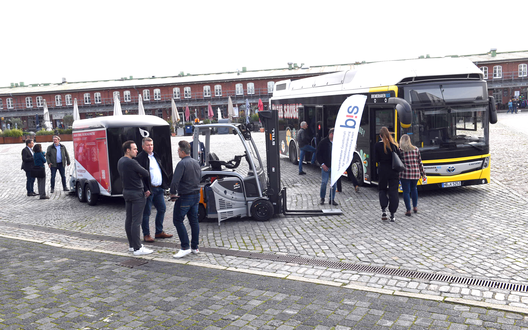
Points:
[[46, 287]]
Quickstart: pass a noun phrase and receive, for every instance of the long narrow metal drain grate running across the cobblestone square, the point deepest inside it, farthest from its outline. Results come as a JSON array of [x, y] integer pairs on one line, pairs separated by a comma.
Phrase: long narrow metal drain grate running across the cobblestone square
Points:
[[297, 260]]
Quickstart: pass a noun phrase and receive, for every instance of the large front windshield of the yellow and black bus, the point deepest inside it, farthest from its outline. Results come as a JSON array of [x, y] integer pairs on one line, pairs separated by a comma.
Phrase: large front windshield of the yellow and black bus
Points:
[[449, 116]]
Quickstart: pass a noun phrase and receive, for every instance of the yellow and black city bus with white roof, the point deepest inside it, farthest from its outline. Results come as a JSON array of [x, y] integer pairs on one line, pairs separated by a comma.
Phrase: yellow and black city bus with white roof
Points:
[[449, 119]]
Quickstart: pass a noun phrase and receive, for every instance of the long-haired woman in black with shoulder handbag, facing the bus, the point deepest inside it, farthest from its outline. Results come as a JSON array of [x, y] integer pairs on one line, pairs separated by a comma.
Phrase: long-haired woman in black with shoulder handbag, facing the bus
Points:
[[388, 178]]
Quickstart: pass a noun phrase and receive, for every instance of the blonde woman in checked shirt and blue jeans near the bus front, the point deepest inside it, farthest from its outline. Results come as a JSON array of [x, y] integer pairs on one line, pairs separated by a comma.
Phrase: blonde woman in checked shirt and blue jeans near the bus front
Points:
[[414, 171]]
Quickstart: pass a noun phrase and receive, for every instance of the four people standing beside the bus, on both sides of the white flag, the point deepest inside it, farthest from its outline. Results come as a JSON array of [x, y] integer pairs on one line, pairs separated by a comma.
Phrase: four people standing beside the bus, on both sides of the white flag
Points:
[[389, 179]]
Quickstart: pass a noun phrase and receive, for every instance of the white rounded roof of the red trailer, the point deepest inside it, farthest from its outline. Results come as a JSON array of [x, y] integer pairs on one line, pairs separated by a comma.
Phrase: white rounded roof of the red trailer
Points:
[[118, 121]]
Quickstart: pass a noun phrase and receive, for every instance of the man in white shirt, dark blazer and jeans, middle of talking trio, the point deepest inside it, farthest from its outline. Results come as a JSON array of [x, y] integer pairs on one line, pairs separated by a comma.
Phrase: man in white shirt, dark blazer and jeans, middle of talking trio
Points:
[[156, 183]]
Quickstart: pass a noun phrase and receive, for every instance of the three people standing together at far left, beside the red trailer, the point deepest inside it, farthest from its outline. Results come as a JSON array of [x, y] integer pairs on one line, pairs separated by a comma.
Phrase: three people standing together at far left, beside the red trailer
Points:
[[34, 161]]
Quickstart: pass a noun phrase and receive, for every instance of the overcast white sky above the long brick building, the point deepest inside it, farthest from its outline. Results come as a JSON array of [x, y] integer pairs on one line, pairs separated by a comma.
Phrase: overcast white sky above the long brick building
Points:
[[45, 41]]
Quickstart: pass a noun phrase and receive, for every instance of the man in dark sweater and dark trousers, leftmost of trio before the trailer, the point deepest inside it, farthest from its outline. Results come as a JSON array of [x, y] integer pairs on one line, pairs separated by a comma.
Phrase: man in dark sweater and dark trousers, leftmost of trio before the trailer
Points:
[[134, 194]]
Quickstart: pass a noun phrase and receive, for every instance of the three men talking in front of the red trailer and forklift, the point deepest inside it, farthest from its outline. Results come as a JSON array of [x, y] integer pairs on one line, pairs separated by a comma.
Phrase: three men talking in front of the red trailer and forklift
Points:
[[144, 182]]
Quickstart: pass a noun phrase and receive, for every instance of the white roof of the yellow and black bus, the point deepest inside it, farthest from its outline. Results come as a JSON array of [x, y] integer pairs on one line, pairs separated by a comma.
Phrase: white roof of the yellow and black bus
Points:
[[380, 74]]
